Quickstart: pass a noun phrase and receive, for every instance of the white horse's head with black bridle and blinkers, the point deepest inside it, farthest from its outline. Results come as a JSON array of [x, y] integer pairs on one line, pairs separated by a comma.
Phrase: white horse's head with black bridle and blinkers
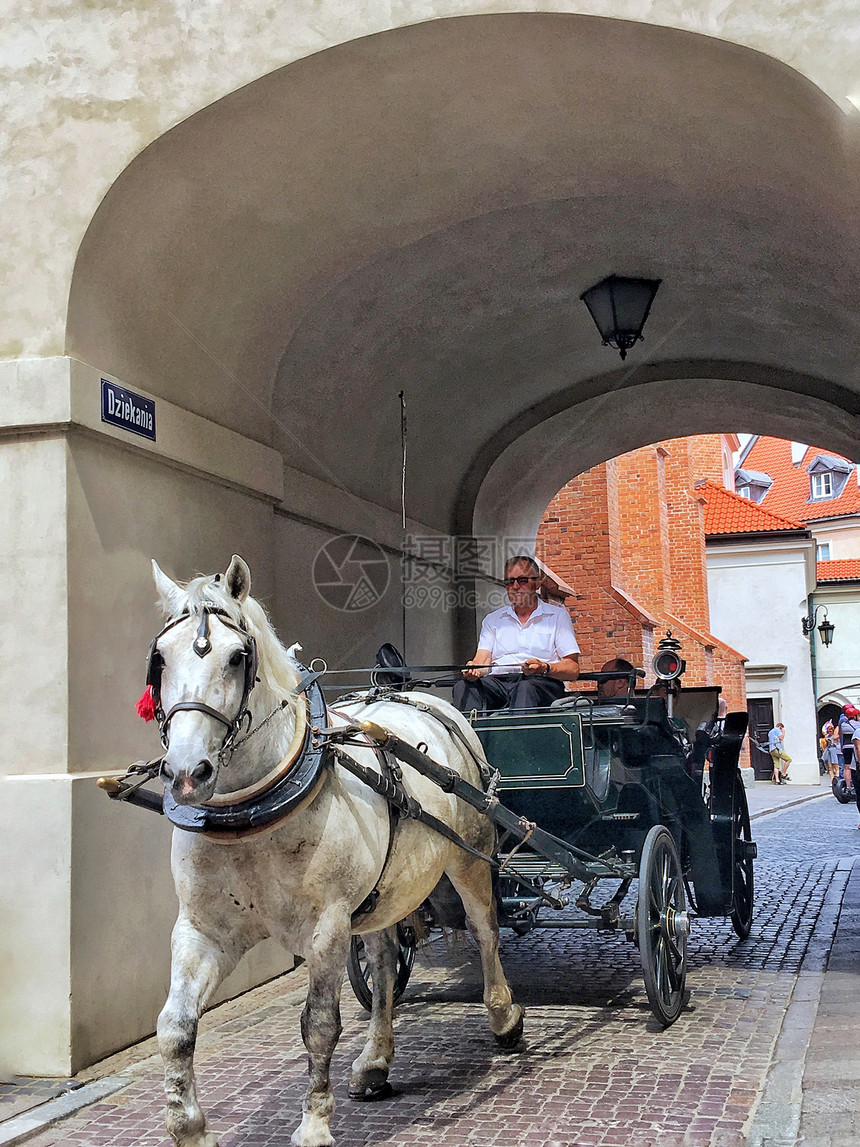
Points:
[[202, 669]]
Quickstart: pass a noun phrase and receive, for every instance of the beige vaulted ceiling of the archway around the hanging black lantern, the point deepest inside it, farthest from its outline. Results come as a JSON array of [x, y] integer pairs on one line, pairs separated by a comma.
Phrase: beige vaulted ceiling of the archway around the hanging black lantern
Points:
[[420, 210]]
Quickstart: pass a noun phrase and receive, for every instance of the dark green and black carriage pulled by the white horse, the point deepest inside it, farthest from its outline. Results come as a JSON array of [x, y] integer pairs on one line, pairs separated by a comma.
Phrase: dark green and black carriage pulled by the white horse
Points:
[[642, 787]]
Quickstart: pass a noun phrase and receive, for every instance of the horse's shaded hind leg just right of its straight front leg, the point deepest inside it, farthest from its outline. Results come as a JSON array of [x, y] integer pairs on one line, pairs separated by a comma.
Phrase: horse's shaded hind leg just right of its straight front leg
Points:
[[371, 1070]]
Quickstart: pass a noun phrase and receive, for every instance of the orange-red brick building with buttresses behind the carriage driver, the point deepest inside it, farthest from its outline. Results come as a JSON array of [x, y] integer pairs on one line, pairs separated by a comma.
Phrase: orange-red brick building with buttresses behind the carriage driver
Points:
[[629, 537]]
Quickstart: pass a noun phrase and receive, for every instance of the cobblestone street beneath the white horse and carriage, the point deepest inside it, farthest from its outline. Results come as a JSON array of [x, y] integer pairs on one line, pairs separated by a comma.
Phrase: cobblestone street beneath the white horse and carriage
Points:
[[596, 1068]]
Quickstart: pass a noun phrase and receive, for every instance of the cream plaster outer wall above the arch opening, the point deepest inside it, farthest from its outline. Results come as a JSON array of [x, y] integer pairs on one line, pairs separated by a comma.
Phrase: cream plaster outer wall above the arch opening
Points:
[[88, 90]]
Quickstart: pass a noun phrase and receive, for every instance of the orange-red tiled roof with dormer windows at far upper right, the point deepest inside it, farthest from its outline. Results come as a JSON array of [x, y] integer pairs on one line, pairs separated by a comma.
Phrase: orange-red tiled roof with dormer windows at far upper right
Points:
[[789, 496]]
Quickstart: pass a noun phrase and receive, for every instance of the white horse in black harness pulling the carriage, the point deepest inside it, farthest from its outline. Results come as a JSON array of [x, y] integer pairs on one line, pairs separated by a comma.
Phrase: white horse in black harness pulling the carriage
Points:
[[300, 879]]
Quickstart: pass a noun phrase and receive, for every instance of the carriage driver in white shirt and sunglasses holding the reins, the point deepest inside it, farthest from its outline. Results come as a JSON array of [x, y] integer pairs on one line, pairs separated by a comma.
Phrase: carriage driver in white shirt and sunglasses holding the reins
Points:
[[529, 647]]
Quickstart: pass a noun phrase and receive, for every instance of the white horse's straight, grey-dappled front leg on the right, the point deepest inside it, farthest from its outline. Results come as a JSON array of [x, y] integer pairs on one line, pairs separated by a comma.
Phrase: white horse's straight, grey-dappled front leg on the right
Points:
[[322, 1026]]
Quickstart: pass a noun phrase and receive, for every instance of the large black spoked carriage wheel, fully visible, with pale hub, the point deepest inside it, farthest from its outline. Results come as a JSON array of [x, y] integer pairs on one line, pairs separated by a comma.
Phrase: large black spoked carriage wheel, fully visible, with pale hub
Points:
[[662, 925]]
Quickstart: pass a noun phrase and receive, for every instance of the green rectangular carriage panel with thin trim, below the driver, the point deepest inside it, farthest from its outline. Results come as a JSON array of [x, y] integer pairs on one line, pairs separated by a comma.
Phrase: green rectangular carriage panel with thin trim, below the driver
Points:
[[535, 751]]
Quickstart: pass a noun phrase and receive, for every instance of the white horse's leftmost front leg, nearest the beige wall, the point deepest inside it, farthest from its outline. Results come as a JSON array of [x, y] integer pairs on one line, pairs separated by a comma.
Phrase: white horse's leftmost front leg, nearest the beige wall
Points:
[[198, 967]]
